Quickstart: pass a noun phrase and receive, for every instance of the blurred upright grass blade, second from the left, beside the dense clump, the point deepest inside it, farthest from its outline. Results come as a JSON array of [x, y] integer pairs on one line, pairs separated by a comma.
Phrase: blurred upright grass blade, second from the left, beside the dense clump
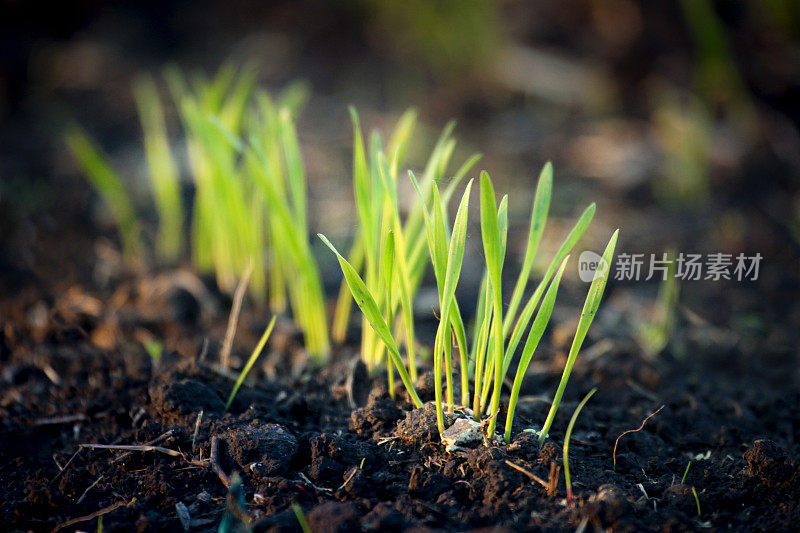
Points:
[[164, 177]]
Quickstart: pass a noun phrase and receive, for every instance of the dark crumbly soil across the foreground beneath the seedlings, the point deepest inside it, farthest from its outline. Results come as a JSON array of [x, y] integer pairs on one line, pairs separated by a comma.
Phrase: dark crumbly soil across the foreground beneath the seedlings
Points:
[[74, 372]]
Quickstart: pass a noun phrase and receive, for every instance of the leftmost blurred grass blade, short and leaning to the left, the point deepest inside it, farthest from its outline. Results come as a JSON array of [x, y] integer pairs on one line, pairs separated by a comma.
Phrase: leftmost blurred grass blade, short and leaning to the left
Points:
[[103, 178]]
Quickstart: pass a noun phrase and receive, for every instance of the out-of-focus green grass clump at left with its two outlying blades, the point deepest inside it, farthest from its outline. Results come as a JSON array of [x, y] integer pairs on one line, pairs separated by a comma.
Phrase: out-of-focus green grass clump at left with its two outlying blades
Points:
[[249, 189]]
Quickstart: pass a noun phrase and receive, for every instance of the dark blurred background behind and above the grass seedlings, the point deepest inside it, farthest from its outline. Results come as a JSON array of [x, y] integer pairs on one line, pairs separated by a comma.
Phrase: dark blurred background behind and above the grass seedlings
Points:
[[679, 118]]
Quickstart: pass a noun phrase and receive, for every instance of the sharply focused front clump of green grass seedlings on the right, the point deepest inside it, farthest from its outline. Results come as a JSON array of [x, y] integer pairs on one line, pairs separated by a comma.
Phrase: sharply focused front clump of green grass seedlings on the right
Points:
[[496, 332]]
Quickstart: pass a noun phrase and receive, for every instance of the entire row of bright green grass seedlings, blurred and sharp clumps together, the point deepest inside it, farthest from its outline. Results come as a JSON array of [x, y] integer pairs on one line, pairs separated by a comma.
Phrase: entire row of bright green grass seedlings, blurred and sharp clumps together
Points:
[[250, 205]]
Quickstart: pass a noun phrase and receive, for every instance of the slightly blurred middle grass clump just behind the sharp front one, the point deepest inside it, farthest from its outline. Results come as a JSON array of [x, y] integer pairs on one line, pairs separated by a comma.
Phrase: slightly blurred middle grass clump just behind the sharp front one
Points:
[[375, 186]]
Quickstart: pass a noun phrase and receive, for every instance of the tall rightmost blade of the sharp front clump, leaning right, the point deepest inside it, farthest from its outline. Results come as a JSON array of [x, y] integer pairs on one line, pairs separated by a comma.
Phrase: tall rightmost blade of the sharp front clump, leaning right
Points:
[[587, 316]]
